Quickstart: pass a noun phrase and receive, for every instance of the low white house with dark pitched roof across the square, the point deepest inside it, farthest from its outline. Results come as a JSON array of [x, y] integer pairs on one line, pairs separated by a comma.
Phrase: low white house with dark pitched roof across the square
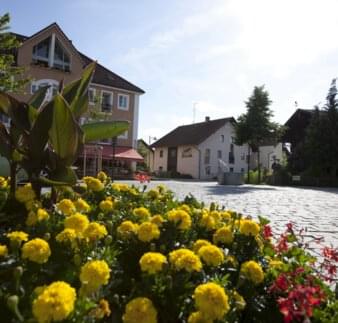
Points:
[[200, 150]]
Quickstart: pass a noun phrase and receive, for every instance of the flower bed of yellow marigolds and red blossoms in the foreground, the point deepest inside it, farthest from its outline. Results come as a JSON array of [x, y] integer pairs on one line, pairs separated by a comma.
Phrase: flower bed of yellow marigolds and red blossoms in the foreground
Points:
[[111, 252]]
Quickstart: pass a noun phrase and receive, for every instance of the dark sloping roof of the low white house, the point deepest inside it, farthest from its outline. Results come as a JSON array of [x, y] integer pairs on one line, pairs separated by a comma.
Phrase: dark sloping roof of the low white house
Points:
[[192, 134]]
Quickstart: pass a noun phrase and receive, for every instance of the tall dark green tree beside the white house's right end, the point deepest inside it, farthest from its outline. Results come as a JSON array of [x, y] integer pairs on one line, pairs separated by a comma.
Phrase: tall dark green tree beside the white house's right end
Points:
[[254, 127]]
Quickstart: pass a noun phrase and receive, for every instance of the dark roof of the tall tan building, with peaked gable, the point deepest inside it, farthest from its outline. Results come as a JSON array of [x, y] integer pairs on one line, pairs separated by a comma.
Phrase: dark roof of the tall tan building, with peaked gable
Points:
[[102, 75]]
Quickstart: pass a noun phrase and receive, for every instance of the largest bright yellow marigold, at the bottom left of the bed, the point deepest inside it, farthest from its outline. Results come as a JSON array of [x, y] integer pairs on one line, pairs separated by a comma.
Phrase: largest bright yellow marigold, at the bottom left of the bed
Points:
[[55, 303]]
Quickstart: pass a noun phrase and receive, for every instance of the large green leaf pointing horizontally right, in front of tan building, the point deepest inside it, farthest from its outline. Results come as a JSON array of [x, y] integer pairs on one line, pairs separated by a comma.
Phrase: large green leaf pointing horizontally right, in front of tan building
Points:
[[103, 130]]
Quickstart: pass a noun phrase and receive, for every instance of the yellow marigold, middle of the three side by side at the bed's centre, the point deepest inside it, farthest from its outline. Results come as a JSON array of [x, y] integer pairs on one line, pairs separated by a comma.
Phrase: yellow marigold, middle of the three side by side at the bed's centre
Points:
[[185, 259]]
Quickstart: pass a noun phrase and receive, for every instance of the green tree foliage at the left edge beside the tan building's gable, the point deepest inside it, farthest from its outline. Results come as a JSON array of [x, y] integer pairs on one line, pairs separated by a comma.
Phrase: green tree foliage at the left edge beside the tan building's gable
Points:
[[10, 75]]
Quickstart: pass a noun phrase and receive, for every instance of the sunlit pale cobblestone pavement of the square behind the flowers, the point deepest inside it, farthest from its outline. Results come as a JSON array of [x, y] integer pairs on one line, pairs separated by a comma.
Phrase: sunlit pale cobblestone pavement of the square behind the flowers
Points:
[[315, 209]]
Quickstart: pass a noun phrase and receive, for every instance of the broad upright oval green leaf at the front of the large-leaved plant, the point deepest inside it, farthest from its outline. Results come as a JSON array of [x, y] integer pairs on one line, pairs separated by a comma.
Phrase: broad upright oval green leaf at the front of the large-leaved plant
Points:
[[64, 132]]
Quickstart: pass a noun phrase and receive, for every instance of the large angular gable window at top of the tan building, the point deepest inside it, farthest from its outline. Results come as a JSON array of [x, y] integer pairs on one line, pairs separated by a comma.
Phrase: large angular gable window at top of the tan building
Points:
[[50, 53]]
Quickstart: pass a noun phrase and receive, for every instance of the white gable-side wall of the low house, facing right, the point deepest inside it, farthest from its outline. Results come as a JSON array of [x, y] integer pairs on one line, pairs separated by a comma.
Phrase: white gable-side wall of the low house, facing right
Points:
[[214, 143]]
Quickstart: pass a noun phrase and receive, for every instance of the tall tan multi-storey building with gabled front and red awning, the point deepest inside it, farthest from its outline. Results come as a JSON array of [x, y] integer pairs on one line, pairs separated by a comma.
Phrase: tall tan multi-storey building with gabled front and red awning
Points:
[[49, 57]]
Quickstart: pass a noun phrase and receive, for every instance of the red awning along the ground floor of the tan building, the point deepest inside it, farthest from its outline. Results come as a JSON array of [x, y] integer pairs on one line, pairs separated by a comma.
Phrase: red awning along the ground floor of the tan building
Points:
[[125, 153]]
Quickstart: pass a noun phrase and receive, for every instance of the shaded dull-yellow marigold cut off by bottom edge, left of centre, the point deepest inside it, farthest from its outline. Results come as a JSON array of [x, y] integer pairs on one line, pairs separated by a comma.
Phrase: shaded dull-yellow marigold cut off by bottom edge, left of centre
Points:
[[140, 310]]
